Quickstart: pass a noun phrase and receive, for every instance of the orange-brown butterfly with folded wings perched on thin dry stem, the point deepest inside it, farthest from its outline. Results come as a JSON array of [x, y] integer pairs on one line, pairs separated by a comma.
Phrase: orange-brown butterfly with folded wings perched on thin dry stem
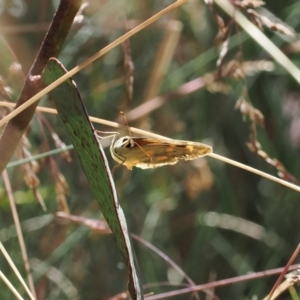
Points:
[[148, 153]]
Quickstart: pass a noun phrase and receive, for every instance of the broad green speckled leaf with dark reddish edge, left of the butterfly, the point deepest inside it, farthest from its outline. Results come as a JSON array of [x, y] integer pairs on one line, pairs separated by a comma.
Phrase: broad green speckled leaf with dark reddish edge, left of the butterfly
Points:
[[94, 163]]
